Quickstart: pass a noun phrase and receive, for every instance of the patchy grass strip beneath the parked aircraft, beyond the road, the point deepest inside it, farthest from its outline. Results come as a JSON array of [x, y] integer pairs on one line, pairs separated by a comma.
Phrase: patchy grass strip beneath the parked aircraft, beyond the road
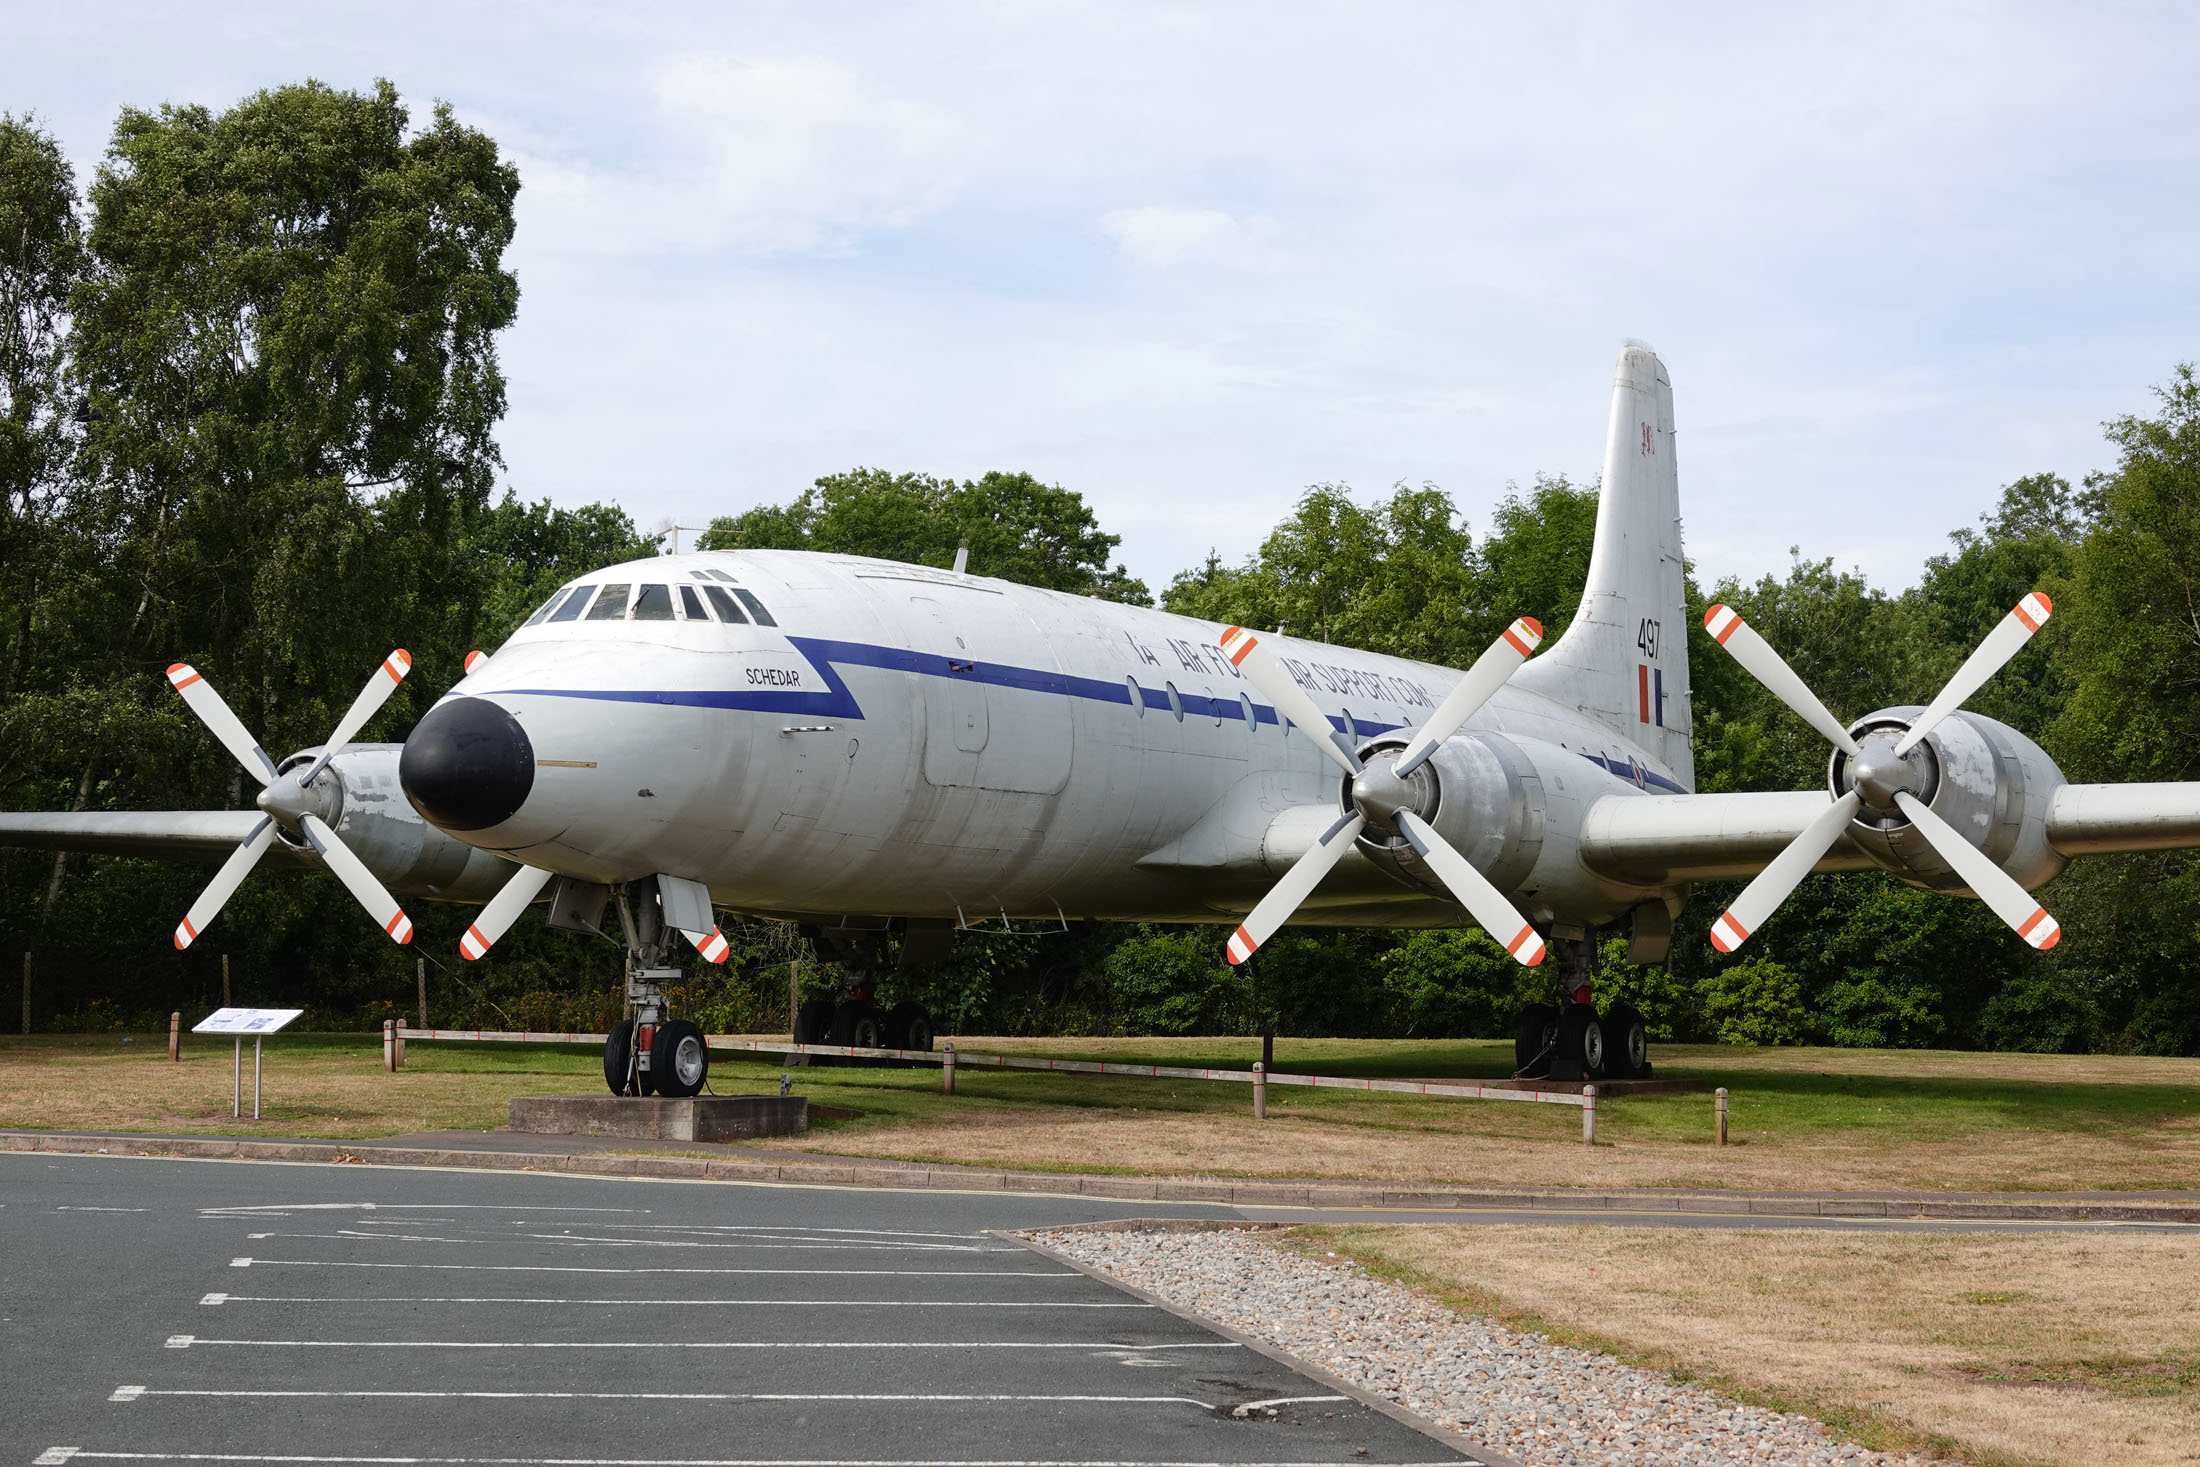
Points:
[[1805, 1118]]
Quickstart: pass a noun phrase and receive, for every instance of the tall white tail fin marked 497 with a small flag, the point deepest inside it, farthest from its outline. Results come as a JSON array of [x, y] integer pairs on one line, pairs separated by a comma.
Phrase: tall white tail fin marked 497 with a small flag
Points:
[[1625, 657]]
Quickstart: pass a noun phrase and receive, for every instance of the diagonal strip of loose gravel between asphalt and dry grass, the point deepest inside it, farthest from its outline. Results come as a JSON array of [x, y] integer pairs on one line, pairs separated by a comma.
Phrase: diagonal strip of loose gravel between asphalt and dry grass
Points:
[[1548, 1404]]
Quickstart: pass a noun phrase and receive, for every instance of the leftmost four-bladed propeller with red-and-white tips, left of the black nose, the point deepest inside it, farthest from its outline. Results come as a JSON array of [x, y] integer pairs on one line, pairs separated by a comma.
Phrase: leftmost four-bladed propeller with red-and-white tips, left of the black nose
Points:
[[291, 802]]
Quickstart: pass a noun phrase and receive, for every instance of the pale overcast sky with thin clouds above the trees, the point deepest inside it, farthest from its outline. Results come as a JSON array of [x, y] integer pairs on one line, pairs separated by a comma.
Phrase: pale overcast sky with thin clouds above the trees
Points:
[[1191, 258]]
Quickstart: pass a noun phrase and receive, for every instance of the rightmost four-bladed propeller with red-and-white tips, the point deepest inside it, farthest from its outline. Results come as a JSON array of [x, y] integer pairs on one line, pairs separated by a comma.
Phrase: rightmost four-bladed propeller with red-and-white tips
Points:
[[1882, 780]]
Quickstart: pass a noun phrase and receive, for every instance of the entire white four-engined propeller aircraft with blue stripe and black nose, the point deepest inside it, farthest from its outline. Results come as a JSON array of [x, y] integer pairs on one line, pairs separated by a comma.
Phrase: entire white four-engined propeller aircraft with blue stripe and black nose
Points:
[[870, 747]]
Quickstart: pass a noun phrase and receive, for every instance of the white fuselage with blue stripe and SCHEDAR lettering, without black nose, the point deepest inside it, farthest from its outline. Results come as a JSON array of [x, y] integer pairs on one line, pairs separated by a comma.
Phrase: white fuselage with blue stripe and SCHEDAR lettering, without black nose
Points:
[[932, 744]]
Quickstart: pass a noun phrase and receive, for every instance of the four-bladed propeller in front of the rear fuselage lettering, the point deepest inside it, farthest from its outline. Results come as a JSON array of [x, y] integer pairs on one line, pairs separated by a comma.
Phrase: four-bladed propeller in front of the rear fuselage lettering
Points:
[[1380, 793]]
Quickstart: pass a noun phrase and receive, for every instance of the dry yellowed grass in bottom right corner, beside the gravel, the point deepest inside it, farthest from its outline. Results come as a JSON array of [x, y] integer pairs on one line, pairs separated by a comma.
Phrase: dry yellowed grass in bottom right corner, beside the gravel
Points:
[[2010, 1347]]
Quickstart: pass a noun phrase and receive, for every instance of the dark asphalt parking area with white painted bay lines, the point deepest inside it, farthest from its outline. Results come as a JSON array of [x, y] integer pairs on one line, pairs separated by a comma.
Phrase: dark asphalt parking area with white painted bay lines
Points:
[[261, 1312]]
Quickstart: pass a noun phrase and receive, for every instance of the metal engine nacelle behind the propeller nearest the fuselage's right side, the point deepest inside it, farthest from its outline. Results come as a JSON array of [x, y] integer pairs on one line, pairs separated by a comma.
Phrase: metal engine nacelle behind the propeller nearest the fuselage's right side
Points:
[[1486, 799]]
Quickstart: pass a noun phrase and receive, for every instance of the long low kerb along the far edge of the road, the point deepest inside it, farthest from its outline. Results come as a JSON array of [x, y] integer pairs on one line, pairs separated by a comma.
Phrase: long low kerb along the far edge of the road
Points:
[[1130, 1189]]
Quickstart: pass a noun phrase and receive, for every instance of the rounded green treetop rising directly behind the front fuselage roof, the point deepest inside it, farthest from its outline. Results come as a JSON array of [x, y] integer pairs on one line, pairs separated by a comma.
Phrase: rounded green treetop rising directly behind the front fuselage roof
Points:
[[1015, 527]]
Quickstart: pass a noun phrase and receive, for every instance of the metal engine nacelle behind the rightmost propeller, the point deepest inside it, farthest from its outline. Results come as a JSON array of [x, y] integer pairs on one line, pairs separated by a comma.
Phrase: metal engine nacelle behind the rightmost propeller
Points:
[[1985, 780]]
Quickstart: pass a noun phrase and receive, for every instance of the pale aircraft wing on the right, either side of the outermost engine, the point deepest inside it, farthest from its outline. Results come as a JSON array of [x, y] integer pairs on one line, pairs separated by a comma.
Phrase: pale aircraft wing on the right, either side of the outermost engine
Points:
[[1721, 837]]
